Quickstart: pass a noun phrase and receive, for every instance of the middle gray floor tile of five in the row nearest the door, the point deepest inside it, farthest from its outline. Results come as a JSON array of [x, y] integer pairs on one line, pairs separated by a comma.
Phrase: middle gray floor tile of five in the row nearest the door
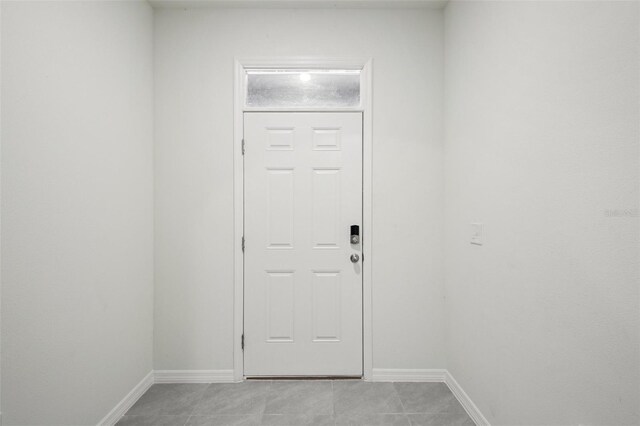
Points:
[[300, 396]]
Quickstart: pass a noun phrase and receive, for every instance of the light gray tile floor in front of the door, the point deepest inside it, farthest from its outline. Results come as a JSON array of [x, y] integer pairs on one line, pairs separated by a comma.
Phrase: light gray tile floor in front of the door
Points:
[[298, 403]]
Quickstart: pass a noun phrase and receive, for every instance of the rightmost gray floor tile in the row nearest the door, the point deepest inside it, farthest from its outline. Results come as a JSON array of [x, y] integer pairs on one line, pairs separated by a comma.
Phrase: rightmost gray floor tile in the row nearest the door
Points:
[[426, 397]]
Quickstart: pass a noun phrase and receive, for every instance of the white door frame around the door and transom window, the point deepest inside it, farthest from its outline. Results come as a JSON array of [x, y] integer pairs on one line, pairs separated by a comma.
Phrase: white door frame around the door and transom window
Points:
[[238, 188]]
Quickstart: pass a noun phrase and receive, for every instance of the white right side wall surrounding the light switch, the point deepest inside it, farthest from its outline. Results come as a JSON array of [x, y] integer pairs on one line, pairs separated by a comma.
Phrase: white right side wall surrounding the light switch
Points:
[[542, 136]]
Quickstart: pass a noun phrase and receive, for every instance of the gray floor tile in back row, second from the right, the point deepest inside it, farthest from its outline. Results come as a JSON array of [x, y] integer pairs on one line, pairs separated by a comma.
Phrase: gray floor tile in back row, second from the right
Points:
[[365, 397]]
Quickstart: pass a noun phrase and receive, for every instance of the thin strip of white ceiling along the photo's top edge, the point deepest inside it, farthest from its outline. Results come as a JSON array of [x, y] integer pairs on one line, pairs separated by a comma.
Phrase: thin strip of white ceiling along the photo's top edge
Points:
[[298, 4]]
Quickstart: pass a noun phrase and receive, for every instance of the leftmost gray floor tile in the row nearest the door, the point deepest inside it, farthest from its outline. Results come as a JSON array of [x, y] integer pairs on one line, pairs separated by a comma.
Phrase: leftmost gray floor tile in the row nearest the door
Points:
[[169, 399]]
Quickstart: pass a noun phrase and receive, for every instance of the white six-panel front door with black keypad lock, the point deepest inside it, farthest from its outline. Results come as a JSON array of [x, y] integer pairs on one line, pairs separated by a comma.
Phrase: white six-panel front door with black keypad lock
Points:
[[303, 291]]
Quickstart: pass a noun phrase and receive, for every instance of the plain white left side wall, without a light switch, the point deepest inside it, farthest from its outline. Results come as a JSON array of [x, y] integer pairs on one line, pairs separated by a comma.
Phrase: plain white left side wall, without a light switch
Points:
[[77, 208]]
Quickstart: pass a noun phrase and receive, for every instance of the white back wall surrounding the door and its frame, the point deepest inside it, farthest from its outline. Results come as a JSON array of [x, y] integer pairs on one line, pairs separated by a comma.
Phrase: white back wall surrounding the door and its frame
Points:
[[195, 51]]
